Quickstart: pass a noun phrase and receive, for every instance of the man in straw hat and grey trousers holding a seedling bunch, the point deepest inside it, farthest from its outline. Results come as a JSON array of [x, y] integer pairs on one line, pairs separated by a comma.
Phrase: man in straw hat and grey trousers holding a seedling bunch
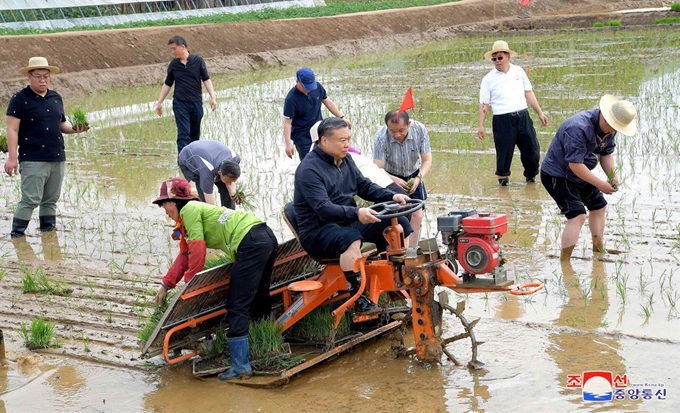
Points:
[[36, 123]]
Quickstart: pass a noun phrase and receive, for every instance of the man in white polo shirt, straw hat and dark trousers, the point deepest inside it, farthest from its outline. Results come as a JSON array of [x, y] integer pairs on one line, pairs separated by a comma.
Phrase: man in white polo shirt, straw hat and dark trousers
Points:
[[506, 88]]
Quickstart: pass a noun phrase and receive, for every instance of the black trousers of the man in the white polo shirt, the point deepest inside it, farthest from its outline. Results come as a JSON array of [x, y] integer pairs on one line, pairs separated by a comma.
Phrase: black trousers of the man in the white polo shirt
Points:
[[512, 129]]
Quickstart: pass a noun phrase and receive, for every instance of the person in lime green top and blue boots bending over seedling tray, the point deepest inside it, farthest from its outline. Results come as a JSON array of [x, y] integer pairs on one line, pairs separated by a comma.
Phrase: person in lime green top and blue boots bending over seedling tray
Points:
[[248, 243]]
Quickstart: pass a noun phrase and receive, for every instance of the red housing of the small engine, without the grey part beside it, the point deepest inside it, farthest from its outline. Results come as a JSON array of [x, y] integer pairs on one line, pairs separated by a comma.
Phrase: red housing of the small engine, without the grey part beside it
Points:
[[478, 247]]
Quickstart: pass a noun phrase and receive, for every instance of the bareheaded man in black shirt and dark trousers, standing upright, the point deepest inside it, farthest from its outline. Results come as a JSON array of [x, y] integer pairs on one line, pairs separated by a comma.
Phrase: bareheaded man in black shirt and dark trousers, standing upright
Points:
[[186, 71]]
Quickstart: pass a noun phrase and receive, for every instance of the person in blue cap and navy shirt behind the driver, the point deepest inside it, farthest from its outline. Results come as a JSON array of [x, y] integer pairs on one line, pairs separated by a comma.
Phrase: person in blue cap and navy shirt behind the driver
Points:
[[302, 109]]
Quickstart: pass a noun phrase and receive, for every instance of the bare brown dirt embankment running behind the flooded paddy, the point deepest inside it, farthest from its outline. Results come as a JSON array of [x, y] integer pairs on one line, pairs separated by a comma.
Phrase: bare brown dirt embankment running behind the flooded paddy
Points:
[[102, 59]]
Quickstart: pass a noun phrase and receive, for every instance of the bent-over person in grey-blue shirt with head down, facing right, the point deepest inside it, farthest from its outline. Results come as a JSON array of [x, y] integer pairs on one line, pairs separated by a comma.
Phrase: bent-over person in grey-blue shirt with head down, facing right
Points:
[[209, 164]]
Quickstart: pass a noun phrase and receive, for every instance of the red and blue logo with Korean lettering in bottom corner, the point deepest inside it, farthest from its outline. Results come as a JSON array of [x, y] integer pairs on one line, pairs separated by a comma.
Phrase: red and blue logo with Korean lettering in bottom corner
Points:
[[603, 386]]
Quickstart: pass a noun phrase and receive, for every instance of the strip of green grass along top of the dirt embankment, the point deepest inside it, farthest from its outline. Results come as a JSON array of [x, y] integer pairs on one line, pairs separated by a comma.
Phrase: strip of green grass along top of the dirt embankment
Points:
[[332, 8]]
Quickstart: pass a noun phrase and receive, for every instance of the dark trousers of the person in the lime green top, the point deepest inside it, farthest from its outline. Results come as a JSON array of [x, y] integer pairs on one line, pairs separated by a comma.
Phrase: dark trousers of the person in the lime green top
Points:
[[250, 279]]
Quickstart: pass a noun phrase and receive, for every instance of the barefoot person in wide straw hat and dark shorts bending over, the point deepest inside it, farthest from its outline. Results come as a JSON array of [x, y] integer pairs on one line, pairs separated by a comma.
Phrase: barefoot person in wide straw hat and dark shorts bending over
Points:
[[580, 143]]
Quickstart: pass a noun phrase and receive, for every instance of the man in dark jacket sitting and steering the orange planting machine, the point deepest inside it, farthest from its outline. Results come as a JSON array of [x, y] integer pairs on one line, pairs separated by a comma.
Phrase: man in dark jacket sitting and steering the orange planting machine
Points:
[[330, 225]]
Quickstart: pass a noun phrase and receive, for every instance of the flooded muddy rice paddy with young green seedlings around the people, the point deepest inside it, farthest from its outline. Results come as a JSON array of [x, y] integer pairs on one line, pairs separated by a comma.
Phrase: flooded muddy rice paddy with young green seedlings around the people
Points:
[[611, 312]]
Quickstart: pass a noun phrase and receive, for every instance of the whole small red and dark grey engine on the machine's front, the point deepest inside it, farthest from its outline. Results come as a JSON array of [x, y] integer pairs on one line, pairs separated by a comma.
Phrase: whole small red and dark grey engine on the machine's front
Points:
[[472, 240]]
